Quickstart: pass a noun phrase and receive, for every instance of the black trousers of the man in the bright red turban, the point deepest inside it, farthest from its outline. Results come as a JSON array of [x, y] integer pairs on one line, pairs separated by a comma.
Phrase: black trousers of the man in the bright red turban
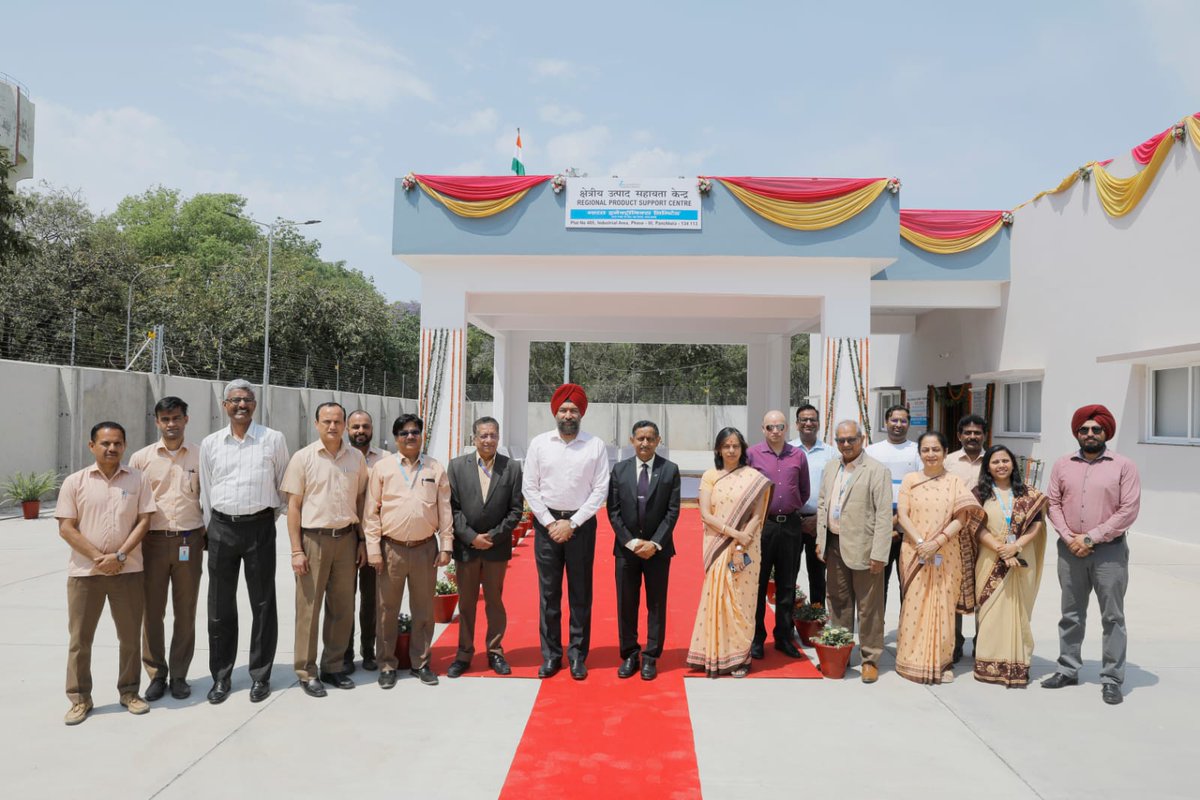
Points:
[[577, 556]]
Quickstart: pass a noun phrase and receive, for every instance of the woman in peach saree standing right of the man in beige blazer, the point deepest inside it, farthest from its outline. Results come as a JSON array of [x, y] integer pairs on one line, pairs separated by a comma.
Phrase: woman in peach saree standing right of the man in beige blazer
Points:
[[940, 520]]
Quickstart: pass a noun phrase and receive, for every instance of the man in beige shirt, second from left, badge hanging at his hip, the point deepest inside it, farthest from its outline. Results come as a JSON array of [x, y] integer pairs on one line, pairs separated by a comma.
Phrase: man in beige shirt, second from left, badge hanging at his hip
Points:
[[172, 551]]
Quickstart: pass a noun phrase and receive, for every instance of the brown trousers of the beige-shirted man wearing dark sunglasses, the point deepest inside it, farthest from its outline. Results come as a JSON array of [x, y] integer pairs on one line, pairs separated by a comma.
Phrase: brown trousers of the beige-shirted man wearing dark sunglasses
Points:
[[417, 567]]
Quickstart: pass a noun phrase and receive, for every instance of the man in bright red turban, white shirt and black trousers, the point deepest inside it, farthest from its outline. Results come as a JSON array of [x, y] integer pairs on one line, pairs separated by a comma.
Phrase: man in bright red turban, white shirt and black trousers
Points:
[[566, 482]]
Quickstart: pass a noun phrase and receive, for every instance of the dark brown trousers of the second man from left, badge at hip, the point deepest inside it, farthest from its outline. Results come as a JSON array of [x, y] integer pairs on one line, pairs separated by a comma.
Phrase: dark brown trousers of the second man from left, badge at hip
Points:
[[163, 568]]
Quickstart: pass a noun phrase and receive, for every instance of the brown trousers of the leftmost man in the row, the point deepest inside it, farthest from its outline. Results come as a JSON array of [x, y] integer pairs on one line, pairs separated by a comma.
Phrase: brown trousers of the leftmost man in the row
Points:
[[86, 601]]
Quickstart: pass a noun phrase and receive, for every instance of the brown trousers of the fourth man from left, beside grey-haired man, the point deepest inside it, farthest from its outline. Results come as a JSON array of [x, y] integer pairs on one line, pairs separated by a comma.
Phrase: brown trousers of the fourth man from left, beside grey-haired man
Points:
[[329, 584]]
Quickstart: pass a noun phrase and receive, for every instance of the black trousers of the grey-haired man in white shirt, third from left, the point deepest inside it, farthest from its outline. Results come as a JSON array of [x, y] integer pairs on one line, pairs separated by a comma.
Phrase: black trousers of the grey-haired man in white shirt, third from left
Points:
[[249, 545]]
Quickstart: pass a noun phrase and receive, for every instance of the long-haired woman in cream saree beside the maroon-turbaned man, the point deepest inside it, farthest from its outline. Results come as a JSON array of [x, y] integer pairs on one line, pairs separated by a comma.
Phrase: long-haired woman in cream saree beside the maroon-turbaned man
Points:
[[1009, 572]]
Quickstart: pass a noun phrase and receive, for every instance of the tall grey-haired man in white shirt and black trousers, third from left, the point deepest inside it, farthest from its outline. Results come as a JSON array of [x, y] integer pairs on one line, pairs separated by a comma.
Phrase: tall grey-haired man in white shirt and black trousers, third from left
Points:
[[242, 468]]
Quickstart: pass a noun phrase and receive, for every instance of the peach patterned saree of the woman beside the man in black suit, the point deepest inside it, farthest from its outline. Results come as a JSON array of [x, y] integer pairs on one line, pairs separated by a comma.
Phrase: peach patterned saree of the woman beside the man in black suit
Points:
[[721, 641]]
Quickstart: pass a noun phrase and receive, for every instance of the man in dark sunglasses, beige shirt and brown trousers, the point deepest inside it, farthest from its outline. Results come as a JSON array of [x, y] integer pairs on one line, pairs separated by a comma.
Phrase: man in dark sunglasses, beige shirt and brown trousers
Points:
[[410, 532]]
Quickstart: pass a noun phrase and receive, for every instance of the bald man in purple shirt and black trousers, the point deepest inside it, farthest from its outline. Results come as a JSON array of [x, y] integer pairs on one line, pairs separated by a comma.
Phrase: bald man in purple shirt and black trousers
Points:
[[788, 470]]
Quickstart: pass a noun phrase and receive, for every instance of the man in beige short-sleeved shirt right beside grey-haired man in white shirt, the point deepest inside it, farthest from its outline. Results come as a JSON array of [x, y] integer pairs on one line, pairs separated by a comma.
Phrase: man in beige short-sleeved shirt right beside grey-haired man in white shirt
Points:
[[326, 484]]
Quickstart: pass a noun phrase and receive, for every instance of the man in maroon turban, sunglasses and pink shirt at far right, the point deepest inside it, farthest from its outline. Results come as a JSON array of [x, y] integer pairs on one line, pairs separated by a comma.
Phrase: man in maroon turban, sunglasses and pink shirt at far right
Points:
[[1095, 496]]
